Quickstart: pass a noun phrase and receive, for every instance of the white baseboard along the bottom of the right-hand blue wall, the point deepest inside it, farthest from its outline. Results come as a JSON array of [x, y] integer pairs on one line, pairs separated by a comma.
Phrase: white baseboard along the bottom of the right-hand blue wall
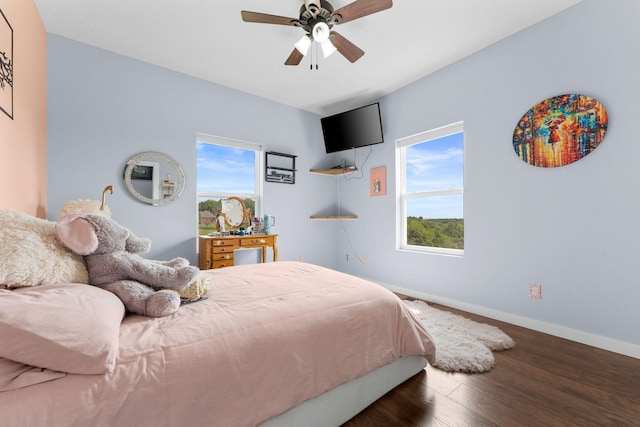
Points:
[[616, 346]]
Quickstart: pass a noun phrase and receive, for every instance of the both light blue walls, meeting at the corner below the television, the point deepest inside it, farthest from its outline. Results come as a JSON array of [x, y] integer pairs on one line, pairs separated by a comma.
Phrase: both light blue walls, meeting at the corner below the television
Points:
[[571, 229]]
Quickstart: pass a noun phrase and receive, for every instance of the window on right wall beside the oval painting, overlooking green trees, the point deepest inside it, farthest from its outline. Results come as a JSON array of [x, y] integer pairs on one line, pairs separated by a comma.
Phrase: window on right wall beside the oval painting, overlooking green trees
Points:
[[430, 179]]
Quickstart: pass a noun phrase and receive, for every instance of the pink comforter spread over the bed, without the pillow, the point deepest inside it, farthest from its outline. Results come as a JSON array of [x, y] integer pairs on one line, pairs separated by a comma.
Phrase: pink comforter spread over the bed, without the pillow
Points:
[[269, 337]]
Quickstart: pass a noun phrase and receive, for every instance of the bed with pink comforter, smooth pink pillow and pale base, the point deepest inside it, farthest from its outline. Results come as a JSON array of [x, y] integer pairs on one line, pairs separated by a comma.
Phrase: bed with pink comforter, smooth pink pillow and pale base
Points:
[[284, 343]]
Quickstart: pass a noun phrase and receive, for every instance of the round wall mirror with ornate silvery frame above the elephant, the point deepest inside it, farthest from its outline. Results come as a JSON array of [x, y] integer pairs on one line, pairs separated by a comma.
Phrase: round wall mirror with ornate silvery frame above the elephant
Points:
[[154, 178]]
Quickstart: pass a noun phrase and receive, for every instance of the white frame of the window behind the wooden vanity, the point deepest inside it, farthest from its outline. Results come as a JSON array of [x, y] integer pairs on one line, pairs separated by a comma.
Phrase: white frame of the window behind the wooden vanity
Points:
[[258, 168]]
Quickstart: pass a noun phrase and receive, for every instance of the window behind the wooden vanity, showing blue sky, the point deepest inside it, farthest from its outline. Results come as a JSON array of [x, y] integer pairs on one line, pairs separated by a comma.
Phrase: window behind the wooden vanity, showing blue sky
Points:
[[226, 168]]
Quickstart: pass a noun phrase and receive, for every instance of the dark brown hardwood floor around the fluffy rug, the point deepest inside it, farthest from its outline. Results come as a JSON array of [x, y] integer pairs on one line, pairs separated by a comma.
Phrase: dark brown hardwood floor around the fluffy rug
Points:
[[544, 381]]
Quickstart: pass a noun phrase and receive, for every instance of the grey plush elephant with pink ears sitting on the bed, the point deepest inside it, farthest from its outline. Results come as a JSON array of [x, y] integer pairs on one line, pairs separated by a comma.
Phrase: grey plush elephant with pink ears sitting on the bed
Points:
[[110, 252]]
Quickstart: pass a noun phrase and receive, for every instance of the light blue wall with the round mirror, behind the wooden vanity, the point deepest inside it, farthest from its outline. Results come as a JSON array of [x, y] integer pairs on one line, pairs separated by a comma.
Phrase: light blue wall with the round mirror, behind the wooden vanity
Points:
[[104, 108]]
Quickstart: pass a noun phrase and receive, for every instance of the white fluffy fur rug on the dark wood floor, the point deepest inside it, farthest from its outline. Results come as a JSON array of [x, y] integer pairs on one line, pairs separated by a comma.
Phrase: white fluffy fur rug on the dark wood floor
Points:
[[462, 345]]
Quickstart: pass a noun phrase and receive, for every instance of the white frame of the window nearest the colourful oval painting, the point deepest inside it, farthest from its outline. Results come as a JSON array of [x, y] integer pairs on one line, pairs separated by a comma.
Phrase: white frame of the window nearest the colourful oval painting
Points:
[[403, 196]]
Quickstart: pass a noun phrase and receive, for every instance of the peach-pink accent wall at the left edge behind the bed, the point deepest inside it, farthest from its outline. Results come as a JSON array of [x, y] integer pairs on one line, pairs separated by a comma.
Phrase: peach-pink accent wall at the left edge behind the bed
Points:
[[23, 140]]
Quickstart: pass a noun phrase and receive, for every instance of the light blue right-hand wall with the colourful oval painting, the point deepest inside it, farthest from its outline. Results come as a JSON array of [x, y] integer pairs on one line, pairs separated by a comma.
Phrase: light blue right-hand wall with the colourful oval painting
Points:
[[571, 229]]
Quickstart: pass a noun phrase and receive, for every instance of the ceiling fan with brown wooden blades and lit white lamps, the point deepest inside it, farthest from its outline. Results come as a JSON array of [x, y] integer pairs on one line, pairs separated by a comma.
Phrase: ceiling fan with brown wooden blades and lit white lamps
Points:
[[317, 18]]
